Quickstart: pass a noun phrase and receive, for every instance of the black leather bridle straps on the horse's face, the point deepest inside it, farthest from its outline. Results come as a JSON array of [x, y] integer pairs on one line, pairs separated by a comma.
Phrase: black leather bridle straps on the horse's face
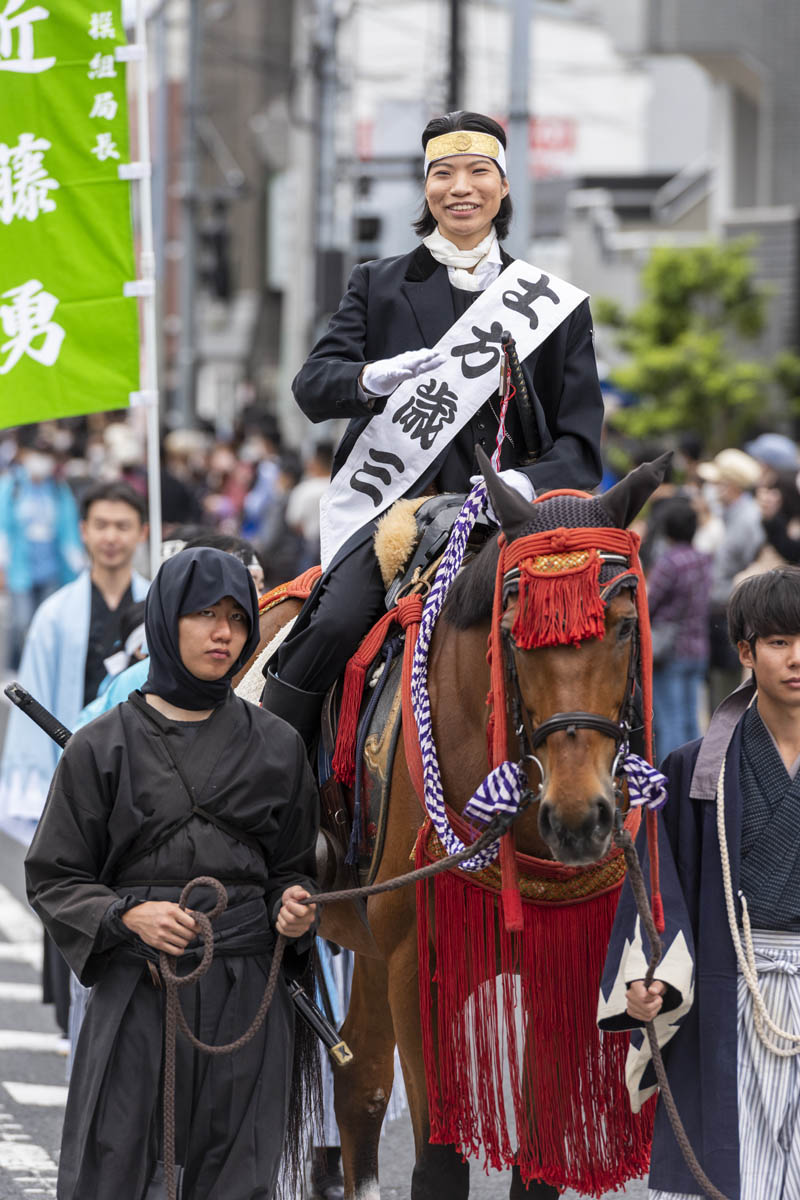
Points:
[[570, 723]]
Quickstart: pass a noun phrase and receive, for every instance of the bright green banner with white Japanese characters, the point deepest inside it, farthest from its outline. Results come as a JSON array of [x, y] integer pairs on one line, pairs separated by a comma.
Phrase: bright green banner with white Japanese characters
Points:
[[69, 337]]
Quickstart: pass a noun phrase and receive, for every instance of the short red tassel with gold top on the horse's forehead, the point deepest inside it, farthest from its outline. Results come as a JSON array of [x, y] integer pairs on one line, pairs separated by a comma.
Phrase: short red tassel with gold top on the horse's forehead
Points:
[[562, 607]]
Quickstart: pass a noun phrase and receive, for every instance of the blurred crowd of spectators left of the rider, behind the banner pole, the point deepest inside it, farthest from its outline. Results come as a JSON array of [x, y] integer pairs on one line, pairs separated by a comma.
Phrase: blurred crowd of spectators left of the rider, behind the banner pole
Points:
[[249, 485]]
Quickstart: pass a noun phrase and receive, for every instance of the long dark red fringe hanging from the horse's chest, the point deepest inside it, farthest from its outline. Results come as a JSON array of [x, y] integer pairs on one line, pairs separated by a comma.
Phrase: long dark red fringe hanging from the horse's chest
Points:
[[572, 1111]]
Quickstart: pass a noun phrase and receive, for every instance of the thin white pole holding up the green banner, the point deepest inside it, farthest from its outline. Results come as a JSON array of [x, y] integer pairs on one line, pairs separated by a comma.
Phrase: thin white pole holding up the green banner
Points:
[[148, 274]]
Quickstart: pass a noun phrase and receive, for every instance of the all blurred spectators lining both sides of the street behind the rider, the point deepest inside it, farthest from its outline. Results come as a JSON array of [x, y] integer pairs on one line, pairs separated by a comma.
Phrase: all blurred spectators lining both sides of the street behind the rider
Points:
[[717, 520]]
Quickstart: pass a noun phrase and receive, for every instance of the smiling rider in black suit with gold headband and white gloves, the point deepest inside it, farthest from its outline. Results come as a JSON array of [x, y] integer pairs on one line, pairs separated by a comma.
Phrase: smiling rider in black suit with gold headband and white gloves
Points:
[[393, 311]]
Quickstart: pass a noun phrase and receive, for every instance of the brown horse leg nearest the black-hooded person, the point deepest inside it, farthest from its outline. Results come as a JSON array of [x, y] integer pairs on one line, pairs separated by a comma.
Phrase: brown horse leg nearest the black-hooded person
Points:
[[364, 1087]]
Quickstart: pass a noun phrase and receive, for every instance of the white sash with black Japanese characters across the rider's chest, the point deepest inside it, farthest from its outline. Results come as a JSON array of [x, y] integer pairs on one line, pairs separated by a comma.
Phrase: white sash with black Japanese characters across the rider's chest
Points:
[[423, 416]]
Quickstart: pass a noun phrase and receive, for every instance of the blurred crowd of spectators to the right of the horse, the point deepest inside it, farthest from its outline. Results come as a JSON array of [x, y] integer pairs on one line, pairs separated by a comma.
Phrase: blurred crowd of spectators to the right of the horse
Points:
[[717, 521]]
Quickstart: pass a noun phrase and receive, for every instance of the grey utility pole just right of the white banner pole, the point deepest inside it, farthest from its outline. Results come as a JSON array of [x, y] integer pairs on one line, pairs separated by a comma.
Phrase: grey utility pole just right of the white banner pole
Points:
[[188, 341]]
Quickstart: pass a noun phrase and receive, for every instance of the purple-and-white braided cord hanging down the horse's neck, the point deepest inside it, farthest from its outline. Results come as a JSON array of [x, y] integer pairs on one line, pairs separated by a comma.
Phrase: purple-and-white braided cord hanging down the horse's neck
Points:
[[503, 788]]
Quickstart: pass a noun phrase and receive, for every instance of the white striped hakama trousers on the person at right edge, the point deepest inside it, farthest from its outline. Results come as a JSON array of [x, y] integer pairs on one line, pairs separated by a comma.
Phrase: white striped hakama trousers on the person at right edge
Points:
[[768, 1087]]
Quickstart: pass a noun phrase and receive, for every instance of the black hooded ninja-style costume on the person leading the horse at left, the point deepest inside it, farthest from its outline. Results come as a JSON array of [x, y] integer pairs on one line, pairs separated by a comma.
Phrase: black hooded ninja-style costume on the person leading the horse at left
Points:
[[119, 829]]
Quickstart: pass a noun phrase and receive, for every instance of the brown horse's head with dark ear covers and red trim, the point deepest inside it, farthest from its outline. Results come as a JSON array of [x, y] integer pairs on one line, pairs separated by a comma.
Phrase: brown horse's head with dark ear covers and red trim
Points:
[[569, 609]]
